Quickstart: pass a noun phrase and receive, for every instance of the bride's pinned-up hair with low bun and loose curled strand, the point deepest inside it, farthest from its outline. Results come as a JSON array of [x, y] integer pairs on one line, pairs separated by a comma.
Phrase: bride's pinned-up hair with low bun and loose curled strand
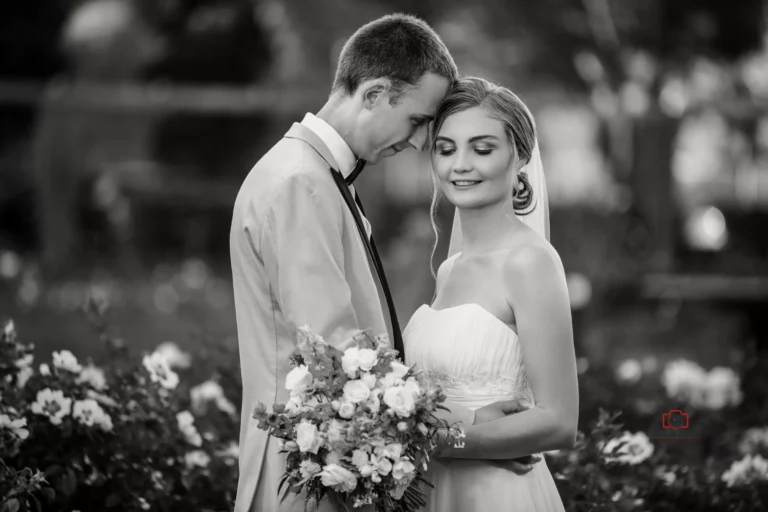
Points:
[[503, 105]]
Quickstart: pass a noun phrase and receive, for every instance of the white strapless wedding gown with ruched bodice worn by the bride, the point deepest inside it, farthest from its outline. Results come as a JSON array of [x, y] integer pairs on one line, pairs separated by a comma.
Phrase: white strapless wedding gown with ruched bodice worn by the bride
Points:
[[477, 359]]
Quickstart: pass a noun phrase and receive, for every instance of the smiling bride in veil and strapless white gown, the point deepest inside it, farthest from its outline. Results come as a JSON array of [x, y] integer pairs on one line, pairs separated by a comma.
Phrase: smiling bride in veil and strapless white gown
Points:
[[500, 324]]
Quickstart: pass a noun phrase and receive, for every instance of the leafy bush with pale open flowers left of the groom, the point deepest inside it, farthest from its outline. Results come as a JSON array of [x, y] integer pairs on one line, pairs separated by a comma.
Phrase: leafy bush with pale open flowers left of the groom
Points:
[[131, 435]]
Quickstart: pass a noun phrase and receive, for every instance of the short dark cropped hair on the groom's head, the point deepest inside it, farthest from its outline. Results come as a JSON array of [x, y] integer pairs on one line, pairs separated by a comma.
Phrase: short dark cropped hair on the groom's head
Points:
[[400, 47]]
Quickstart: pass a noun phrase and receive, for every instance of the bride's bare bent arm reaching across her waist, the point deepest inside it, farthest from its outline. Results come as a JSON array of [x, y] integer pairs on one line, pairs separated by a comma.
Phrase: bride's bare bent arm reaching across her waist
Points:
[[539, 297]]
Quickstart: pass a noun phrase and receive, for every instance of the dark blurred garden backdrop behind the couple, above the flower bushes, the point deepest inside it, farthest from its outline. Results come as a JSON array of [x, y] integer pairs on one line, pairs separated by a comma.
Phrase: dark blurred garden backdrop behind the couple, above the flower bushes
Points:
[[128, 125]]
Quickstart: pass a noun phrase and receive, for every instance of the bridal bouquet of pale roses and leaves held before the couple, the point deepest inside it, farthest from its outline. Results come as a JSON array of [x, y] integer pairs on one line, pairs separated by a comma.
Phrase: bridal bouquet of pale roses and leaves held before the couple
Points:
[[358, 424]]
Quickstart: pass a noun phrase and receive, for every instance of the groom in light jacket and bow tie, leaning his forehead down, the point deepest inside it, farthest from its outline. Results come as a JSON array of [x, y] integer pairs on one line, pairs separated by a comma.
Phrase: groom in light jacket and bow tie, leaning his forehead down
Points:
[[297, 247]]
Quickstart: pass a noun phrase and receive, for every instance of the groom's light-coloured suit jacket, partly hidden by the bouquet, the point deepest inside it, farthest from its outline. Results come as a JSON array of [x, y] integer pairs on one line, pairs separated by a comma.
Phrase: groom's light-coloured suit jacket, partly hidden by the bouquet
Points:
[[297, 259]]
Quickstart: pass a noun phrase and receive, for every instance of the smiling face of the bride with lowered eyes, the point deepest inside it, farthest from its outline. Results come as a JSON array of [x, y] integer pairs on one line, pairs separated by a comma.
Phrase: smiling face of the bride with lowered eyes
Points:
[[474, 160]]
